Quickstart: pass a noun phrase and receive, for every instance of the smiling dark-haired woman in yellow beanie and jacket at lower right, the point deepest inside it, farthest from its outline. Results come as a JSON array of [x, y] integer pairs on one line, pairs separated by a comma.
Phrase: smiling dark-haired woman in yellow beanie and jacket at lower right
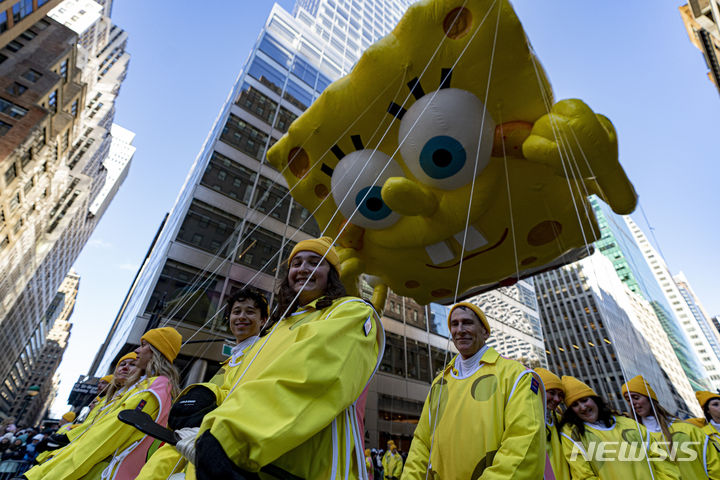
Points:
[[603, 446]]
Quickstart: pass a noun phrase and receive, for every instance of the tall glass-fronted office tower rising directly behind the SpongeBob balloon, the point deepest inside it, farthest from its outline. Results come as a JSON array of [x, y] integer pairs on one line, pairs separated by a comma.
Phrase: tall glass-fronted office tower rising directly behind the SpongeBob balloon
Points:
[[234, 215]]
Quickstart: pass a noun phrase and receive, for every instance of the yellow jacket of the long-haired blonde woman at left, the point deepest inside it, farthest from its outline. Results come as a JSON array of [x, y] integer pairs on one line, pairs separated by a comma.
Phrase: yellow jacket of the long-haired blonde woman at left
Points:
[[110, 448]]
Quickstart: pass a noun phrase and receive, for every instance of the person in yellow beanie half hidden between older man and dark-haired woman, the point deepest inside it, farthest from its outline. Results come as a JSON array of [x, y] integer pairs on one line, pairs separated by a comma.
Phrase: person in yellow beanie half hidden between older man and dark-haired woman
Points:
[[554, 395]]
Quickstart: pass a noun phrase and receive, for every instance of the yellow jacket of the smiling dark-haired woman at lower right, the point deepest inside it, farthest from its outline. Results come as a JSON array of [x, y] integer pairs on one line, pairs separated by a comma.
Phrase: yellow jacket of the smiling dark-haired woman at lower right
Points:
[[620, 452]]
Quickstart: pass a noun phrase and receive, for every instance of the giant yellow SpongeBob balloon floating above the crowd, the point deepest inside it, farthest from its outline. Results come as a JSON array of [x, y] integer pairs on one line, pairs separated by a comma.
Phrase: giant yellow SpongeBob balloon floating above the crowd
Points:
[[441, 163]]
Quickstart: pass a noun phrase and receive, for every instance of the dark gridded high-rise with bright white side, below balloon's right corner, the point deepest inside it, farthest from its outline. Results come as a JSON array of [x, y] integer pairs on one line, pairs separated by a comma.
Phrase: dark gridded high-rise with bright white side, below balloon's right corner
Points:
[[600, 331]]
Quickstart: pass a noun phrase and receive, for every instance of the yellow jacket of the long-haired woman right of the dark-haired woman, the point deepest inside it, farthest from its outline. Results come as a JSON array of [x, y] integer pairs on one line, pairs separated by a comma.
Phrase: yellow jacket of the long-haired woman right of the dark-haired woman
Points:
[[690, 442]]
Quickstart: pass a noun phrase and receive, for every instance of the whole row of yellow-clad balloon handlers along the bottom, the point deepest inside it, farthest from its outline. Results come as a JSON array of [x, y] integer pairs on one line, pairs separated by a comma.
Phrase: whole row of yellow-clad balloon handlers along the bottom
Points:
[[289, 403]]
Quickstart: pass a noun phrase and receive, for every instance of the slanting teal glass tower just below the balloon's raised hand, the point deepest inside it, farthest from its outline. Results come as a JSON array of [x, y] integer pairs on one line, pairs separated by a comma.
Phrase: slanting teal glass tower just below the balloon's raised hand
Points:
[[617, 243]]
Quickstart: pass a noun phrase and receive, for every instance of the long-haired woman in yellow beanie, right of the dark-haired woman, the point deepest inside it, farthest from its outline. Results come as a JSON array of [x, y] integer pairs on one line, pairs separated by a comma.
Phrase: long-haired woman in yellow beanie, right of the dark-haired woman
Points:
[[685, 444]]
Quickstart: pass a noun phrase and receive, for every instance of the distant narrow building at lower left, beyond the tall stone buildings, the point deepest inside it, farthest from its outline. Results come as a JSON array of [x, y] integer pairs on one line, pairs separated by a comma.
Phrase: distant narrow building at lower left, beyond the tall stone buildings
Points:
[[52, 339]]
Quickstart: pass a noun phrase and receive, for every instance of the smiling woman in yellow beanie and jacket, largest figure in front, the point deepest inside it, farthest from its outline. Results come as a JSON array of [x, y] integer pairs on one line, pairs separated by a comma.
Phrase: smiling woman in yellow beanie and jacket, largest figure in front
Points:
[[293, 407]]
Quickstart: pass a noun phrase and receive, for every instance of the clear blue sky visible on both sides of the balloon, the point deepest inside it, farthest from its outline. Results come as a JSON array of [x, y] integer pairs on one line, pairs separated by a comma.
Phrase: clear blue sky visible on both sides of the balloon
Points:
[[631, 61]]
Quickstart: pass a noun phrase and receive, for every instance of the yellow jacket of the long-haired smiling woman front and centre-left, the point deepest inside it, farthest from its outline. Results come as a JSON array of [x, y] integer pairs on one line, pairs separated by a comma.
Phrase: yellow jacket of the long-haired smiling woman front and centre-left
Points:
[[293, 404]]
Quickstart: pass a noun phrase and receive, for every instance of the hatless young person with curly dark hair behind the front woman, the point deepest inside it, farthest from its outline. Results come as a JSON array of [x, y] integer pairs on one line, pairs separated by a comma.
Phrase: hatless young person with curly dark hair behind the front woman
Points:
[[246, 313]]
